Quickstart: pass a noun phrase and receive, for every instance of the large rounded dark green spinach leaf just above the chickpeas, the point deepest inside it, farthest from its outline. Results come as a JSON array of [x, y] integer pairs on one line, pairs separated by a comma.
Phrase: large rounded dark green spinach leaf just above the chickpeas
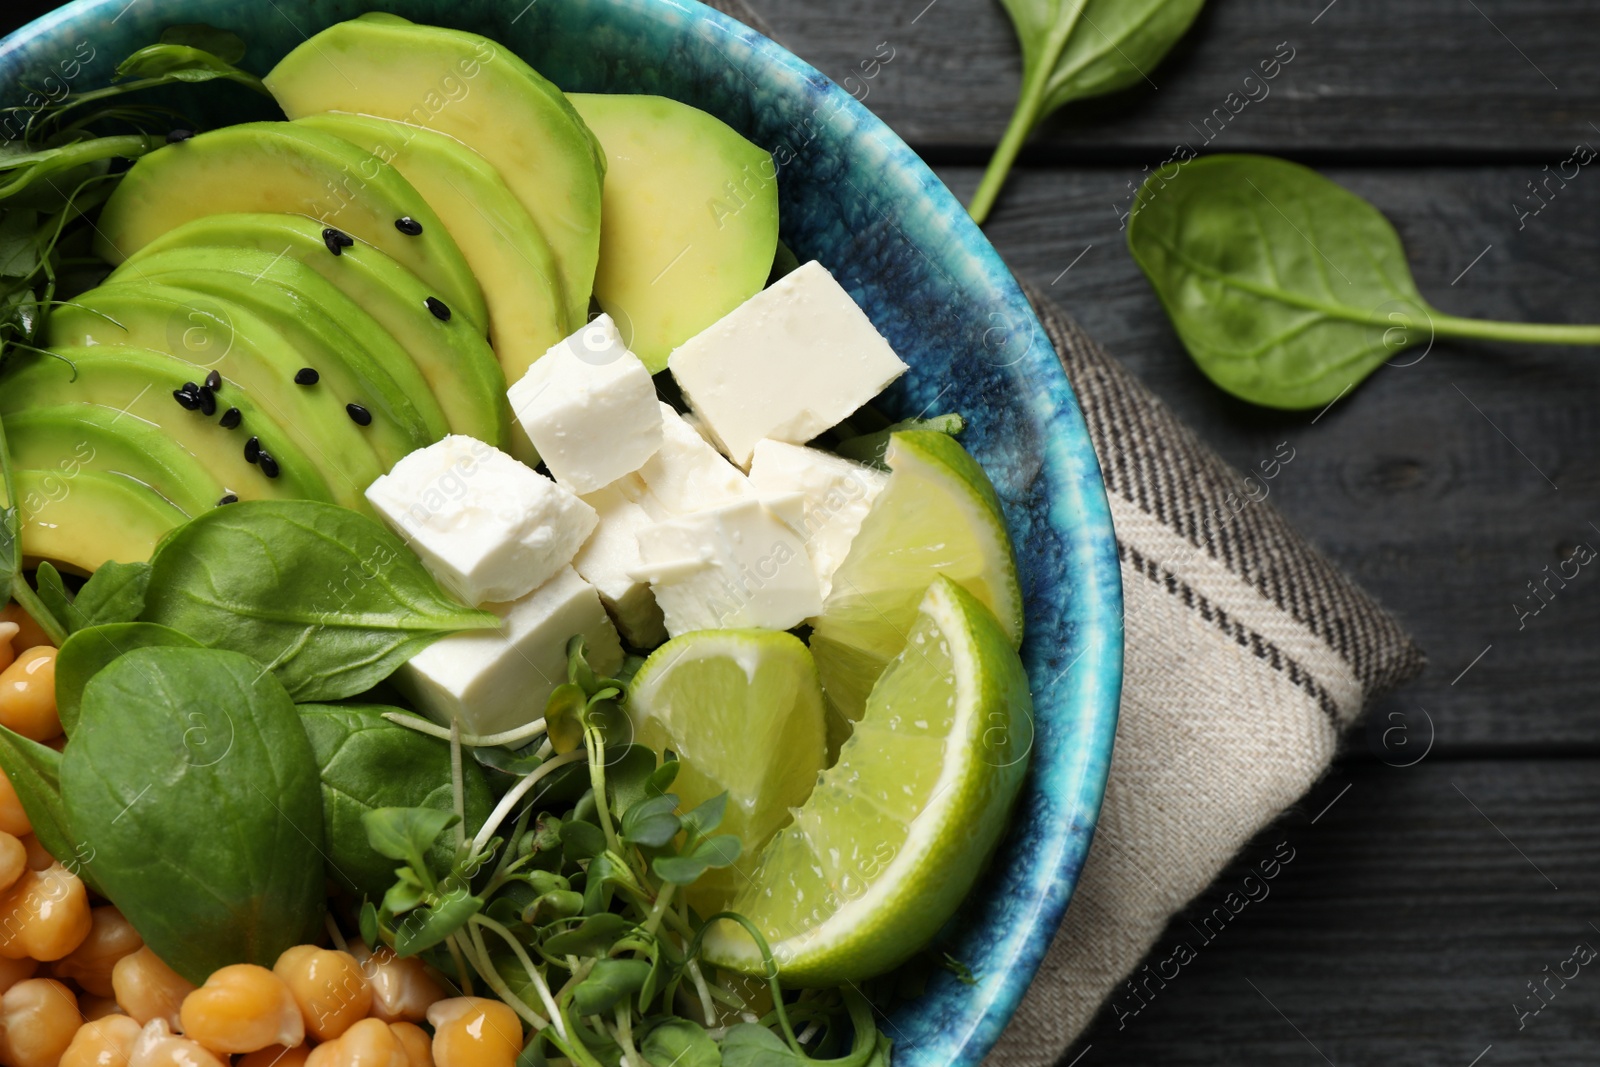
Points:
[[198, 789]]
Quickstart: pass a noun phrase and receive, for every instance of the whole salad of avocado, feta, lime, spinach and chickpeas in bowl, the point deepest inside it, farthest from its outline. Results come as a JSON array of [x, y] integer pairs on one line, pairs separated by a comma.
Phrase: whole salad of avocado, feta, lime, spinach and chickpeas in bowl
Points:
[[474, 594]]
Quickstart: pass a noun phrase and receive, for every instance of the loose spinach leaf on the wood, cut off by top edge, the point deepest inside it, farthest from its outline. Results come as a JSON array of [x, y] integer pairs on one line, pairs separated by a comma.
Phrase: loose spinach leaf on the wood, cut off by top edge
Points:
[[1074, 50]]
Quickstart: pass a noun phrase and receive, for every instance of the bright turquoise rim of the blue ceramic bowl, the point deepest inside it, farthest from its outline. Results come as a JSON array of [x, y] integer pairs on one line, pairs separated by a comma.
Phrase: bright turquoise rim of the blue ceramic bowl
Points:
[[1081, 516]]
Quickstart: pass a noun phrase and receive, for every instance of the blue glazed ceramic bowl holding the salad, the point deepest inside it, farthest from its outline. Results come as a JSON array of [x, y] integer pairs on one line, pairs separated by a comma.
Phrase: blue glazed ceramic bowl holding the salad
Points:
[[857, 199]]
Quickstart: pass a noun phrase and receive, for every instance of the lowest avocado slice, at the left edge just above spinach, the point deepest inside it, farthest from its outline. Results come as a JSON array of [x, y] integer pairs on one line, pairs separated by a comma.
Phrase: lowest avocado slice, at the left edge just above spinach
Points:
[[90, 519]]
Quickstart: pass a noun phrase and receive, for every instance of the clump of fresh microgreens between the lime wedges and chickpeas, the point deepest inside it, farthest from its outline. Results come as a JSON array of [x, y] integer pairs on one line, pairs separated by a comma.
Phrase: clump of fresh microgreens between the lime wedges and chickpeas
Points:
[[574, 913]]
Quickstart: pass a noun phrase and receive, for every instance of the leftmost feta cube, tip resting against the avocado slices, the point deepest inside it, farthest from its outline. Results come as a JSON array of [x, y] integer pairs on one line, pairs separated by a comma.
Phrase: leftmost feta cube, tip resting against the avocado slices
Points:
[[489, 527]]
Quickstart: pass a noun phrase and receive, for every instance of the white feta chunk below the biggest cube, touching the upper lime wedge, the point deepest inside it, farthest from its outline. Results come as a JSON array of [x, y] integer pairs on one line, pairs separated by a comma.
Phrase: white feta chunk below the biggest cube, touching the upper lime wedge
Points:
[[836, 495]]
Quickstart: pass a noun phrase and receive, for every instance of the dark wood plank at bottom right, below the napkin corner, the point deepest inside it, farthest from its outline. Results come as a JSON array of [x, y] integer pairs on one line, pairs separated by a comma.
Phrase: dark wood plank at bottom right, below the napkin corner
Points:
[[1402, 932]]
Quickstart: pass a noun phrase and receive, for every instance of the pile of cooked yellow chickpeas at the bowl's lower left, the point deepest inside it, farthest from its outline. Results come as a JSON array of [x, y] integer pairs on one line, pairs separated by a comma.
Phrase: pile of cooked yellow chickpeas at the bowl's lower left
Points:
[[79, 988]]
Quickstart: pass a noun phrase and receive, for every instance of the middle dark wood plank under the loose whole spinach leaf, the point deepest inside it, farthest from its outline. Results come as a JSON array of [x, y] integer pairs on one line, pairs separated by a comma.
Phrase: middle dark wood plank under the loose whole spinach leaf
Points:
[[1439, 508]]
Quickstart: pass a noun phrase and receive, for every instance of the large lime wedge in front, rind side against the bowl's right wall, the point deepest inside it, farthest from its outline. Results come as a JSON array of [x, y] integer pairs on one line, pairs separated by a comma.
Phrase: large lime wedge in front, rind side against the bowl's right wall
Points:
[[895, 834]]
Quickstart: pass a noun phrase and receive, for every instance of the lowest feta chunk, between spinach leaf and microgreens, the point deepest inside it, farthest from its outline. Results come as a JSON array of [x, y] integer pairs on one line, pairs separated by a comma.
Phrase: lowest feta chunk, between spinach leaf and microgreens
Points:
[[497, 681]]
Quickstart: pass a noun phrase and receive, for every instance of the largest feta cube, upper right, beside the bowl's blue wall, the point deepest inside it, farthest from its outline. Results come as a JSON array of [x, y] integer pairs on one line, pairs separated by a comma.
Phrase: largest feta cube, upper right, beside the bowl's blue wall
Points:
[[788, 364]]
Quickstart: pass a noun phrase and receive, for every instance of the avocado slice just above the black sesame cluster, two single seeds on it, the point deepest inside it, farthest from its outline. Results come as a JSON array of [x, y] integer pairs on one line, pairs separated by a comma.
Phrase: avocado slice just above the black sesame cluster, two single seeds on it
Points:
[[252, 358]]
